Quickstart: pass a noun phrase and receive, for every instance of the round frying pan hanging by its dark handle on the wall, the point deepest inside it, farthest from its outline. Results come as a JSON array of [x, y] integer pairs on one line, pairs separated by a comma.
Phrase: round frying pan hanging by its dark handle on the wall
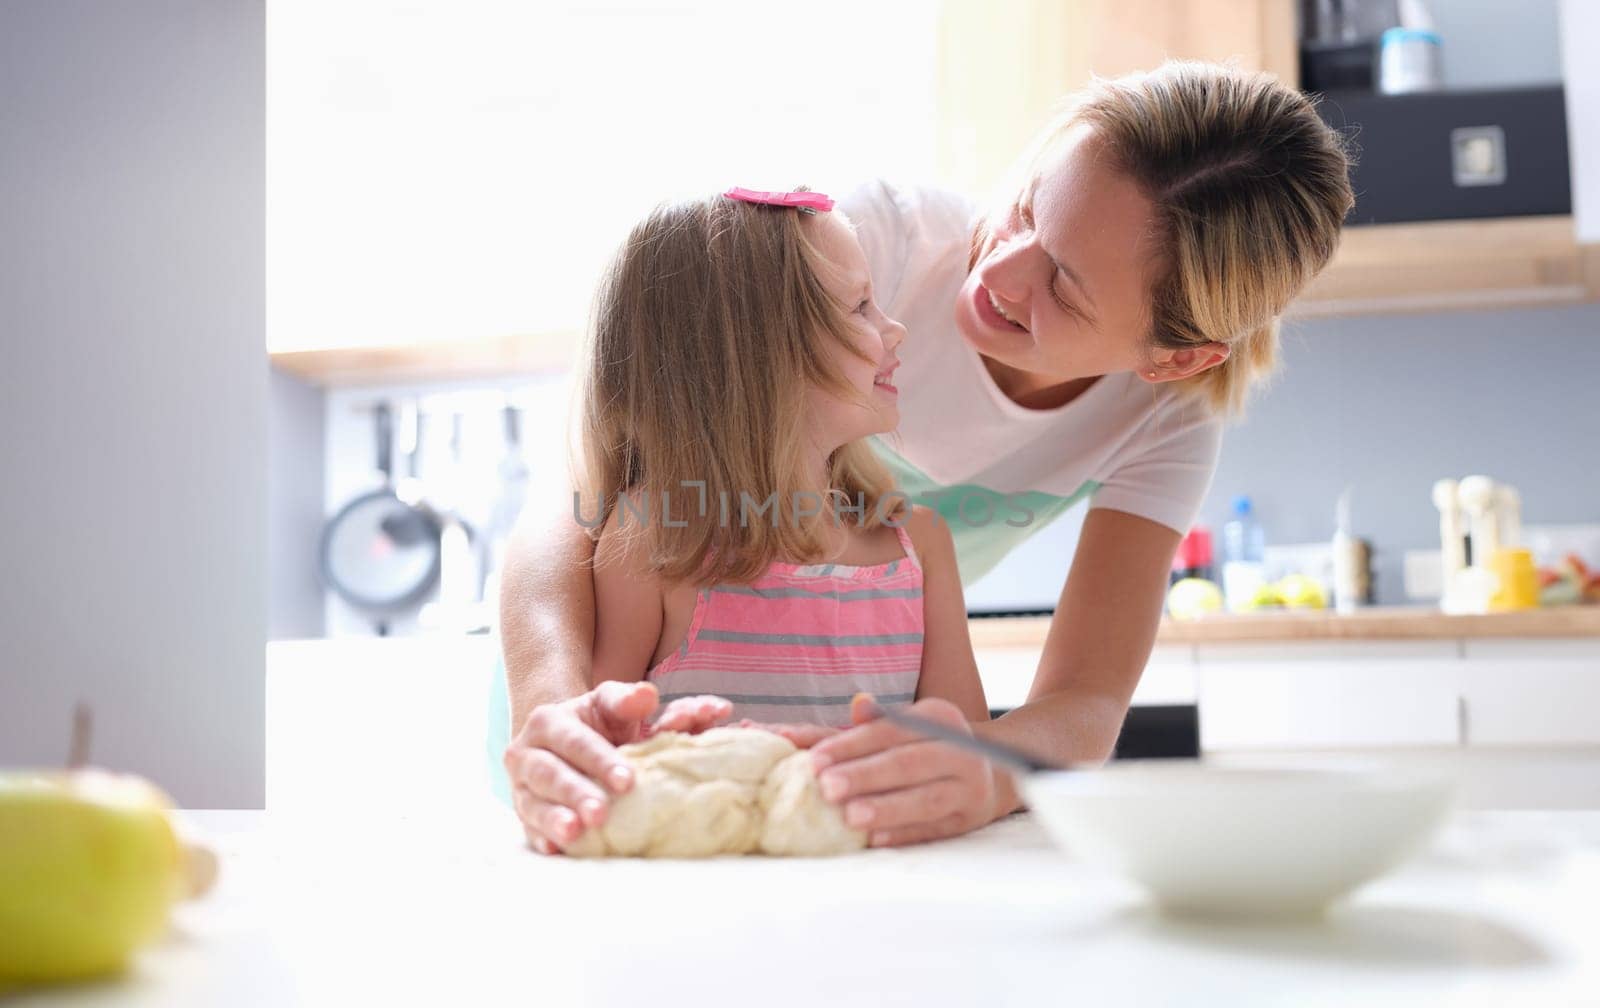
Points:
[[380, 553]]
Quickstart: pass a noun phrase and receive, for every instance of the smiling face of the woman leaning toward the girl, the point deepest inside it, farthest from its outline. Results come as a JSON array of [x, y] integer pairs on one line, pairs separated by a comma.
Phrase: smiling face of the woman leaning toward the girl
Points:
[[1062, 292]]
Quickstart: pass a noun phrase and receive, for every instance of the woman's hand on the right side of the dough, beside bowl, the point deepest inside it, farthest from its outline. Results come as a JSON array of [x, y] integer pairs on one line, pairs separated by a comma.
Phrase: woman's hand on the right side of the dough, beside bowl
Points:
[[900, 786]]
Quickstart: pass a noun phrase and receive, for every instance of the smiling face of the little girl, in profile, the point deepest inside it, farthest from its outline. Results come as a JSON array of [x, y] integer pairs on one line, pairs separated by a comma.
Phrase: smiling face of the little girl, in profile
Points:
[[874, 402]]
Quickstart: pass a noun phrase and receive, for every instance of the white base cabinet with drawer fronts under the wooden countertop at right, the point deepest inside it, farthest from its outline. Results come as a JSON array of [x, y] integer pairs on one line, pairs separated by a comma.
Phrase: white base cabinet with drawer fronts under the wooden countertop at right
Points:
[[1516, 719]]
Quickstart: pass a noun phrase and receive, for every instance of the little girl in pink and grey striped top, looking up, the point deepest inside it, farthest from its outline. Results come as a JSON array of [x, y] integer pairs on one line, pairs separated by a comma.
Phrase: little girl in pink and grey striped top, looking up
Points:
[[751, 545]]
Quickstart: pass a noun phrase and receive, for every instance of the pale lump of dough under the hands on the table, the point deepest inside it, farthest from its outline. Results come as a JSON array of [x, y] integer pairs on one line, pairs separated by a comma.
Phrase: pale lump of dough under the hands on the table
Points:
[[727, 791]]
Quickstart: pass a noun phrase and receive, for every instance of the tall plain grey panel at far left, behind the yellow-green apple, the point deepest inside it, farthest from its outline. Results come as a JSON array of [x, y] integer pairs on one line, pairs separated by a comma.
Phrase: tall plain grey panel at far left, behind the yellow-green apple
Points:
[[134, 399]]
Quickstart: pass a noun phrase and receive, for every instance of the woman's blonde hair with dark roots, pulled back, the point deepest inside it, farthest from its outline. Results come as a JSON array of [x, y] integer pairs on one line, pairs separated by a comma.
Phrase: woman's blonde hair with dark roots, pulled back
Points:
[[1250, 190]]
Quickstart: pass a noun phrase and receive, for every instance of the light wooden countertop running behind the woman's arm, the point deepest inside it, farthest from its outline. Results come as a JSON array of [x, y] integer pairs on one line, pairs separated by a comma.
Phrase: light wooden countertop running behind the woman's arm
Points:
[[1370, 625]]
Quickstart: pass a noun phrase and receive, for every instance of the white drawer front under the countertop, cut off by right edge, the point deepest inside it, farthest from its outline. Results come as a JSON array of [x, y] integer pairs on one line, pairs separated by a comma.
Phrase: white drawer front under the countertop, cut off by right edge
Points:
[[1540, 694]]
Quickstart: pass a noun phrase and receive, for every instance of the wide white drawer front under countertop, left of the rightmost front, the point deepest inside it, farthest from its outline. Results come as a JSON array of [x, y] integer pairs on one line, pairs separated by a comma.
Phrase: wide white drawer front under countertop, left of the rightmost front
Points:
[[1342, 695]]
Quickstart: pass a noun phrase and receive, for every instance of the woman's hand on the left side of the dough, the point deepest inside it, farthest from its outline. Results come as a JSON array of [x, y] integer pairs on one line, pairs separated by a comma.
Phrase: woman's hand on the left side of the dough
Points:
[[564, 766]]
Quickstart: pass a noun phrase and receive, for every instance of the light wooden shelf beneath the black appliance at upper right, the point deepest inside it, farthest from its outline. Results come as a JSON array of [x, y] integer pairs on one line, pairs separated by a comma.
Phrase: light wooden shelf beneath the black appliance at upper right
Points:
[[1454, 265]]
